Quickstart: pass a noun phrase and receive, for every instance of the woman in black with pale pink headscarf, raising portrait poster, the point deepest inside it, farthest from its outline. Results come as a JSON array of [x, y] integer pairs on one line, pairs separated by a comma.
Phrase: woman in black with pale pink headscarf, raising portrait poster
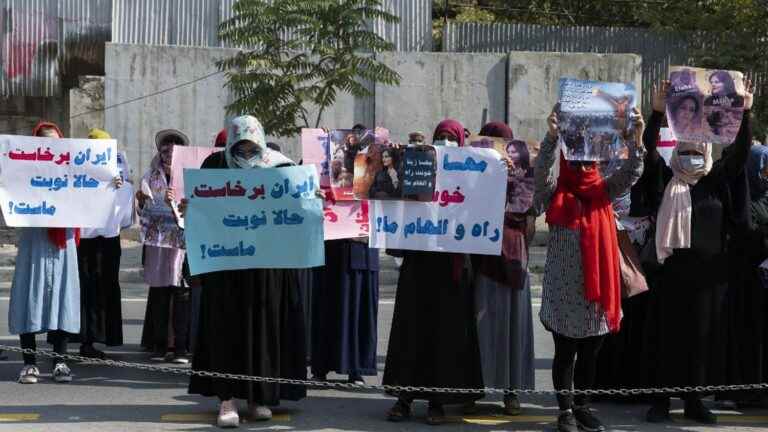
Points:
[[698, 211]]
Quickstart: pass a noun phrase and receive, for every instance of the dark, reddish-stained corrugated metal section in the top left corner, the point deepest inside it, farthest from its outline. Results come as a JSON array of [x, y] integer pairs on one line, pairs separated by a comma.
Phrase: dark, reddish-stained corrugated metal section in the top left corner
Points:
[[42, 39]]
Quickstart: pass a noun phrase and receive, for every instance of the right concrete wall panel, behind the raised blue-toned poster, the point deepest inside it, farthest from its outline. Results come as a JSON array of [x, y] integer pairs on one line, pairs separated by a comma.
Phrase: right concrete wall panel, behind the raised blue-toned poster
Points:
[[534, 76]]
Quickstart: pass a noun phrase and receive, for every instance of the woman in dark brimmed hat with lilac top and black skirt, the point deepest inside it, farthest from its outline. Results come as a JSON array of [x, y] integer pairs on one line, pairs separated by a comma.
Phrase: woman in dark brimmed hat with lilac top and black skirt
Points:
[[163, 264]]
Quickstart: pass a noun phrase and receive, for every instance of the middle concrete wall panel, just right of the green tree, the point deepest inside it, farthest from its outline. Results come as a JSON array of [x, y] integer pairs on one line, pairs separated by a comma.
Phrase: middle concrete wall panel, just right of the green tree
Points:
[[470, 88]]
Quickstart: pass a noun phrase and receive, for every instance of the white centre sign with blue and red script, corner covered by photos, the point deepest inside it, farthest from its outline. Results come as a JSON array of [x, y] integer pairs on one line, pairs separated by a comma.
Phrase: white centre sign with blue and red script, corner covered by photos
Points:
[[467, 213]]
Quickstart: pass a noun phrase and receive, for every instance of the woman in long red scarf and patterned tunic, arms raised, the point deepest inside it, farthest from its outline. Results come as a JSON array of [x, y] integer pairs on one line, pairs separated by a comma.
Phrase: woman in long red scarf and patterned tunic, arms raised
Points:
[[581, 300]]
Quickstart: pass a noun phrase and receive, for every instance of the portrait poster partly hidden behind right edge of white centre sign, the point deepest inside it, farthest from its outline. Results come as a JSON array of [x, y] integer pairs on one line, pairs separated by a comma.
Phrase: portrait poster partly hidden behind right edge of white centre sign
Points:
[[520, 177]]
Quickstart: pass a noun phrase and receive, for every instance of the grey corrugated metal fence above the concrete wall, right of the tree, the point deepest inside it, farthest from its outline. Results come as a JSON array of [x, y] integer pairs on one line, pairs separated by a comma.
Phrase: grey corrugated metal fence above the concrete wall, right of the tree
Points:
[[658, 51]]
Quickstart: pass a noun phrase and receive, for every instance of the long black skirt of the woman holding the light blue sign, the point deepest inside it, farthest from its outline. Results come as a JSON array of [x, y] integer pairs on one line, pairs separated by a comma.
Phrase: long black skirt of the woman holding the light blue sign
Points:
[[251, 323]]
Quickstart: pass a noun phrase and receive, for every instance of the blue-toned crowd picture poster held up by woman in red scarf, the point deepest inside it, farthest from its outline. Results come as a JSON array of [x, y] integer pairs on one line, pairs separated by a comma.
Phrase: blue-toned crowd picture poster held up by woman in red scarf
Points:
[[593, 119]]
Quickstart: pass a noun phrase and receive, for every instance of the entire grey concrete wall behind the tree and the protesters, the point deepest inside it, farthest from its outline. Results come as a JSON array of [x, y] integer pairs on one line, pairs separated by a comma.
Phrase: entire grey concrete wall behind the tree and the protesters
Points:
[[472, 88]]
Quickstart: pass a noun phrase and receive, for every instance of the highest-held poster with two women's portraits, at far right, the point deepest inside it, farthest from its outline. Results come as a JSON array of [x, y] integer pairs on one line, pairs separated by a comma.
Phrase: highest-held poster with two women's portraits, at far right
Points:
[[705, 105]]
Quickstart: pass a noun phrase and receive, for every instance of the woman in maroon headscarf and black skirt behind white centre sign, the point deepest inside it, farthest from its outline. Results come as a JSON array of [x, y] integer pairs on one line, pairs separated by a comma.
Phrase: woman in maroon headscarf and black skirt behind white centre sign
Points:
[[433, 342]]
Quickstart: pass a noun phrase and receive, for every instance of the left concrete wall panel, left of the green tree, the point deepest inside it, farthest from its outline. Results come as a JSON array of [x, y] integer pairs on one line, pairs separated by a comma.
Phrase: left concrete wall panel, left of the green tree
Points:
[[135, 71]]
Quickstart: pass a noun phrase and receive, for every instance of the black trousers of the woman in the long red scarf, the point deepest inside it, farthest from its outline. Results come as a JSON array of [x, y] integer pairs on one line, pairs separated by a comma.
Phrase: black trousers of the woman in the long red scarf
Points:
[[575, 367]]
